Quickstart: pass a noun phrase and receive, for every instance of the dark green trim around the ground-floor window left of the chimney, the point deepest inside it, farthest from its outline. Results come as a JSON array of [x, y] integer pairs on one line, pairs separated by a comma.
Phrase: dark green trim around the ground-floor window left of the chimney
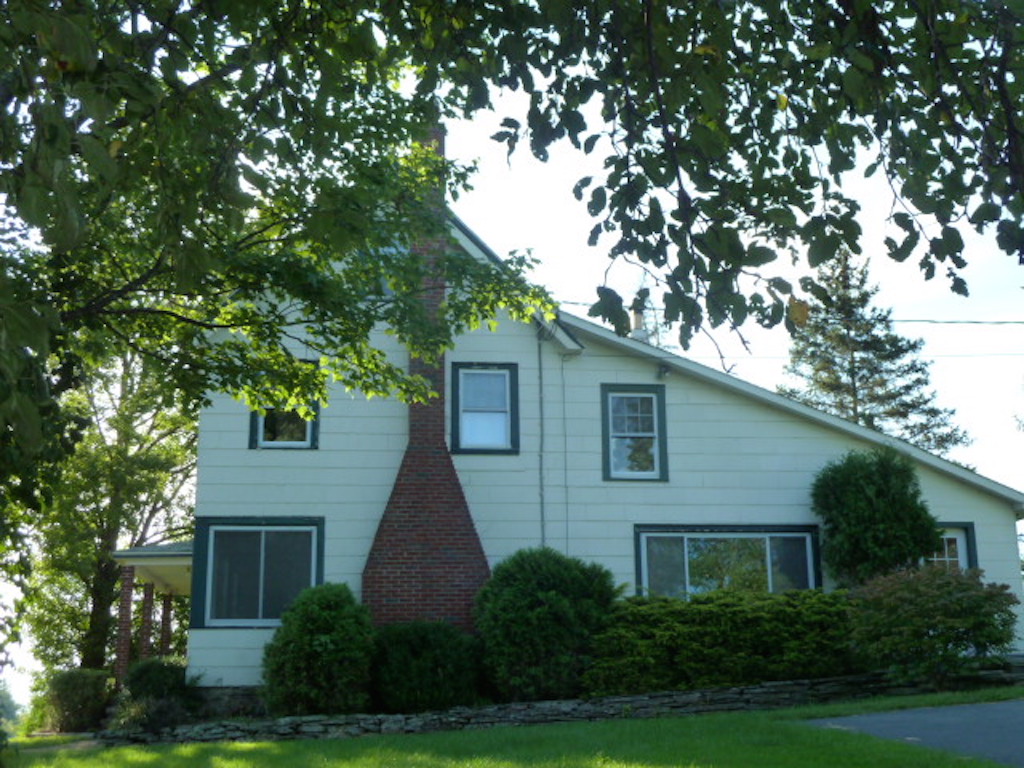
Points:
[[207, 528]]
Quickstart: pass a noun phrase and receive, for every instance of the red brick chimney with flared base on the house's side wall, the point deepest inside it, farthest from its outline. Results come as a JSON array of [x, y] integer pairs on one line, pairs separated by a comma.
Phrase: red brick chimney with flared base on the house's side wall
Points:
[[426, 563]]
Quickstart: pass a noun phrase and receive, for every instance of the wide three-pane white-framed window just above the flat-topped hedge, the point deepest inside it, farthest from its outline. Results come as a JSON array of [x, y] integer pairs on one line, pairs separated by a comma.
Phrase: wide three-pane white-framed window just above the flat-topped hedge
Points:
[[681, 564]]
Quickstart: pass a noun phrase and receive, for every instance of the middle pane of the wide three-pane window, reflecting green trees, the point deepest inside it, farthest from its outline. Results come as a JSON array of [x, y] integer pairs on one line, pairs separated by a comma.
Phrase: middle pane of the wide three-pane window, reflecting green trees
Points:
[[727, 564]]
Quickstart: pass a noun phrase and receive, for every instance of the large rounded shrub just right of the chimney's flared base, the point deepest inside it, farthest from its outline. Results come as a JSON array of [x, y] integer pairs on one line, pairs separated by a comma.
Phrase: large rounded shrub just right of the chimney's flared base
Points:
[[537, 617]]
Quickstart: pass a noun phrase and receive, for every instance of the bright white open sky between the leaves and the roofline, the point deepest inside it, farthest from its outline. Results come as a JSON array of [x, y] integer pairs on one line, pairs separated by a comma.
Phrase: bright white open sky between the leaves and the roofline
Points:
[[975, 345]]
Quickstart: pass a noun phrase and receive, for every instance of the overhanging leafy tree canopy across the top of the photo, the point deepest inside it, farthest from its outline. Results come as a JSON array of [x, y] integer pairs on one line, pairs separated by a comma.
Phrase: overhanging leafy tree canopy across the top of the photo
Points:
[[207, 182]]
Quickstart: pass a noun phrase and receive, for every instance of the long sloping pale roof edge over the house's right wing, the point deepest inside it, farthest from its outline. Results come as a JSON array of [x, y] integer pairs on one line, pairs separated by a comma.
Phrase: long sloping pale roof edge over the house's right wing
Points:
[[581, 329]]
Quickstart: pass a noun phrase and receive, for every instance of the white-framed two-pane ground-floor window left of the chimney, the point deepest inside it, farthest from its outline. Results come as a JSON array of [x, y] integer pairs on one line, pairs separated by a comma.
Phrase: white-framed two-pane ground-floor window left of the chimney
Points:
[[254, 573]]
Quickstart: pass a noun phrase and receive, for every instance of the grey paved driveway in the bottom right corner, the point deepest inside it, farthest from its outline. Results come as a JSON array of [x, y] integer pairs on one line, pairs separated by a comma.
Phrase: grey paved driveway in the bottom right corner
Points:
[[994, 731]]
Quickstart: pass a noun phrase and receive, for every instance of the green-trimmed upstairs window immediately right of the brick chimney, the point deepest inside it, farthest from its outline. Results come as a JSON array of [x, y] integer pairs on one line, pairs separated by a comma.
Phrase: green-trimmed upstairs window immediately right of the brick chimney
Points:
[[485, 409]]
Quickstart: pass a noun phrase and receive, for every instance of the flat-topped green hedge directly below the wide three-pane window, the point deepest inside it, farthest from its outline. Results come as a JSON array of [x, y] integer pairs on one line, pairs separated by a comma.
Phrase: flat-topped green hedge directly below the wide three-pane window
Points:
[[721, 638]]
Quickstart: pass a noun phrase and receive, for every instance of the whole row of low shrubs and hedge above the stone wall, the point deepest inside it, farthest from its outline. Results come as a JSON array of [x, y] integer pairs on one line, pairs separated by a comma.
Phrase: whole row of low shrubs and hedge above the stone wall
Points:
[[553, 627]]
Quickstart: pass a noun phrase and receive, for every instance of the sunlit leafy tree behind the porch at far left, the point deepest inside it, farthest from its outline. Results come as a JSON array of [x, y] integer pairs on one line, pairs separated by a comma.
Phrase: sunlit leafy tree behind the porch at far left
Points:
[[129, 484]]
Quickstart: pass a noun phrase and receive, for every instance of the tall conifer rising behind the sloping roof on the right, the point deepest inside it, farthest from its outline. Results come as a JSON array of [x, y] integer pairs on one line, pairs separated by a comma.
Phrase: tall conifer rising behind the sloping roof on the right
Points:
[[855, 366]]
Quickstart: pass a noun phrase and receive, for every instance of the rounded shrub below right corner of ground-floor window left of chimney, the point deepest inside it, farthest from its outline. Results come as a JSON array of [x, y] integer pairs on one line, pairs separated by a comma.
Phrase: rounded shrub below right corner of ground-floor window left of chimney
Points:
[[319, 659]]
